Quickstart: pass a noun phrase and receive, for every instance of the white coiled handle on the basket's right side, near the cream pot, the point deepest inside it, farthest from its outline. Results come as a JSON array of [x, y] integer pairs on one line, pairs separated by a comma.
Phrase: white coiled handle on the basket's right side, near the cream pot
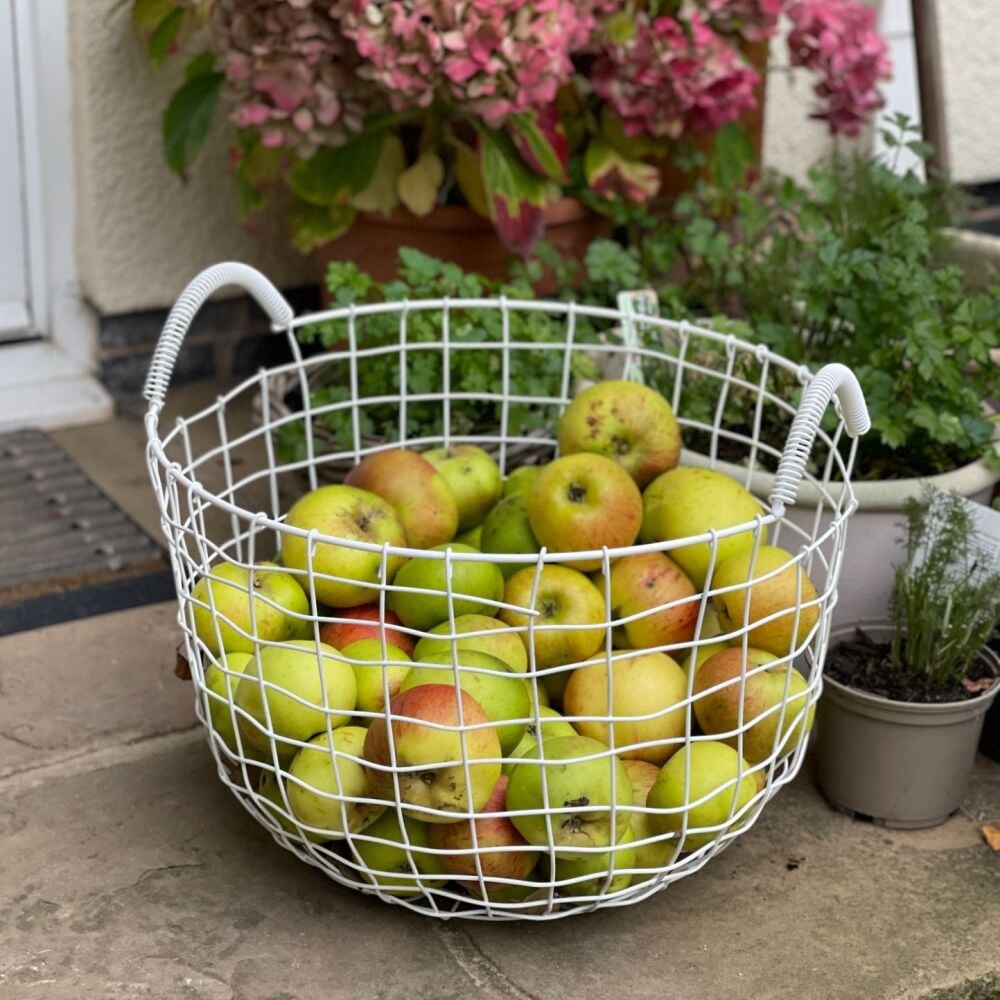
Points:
[[831, 380]]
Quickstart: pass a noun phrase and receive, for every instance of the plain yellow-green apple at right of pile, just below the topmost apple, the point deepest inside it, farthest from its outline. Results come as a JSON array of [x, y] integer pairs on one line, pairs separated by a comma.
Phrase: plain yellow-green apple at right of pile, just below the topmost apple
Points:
[[689, 501]]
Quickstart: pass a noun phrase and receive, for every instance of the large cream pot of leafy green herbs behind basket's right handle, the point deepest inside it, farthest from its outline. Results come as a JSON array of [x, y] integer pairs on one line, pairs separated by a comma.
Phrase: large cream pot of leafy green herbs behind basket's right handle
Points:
[[854, 268]]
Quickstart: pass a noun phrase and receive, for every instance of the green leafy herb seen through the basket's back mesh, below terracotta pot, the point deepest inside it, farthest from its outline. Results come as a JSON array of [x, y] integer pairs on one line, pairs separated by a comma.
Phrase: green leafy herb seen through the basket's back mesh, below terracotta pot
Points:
[[532, 372]]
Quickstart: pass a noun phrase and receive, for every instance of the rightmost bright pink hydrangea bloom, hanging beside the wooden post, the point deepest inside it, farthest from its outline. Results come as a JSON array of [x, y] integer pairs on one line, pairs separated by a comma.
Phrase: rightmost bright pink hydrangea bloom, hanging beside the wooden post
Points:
[[838, 40]]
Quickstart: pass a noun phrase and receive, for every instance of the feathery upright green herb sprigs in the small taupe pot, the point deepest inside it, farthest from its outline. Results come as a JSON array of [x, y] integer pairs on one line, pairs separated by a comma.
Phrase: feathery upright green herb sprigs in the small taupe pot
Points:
[[946, 595]]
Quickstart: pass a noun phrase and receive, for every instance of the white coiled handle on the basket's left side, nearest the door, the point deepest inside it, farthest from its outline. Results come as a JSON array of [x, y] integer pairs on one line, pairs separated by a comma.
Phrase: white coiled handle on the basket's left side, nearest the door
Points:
[[191, 300]]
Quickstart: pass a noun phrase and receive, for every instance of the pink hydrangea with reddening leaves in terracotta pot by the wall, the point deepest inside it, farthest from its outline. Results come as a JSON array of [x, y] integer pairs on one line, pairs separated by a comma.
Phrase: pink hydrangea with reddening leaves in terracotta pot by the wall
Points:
[[438, 125]]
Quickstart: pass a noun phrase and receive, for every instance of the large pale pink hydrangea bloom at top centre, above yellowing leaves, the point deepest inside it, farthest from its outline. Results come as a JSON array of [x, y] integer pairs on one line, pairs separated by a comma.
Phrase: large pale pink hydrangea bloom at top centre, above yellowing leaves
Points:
[[488, 57]]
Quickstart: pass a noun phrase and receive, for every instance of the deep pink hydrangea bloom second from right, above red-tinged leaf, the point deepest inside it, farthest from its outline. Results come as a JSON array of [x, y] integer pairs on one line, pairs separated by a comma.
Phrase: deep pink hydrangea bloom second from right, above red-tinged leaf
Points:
[[667, 80]]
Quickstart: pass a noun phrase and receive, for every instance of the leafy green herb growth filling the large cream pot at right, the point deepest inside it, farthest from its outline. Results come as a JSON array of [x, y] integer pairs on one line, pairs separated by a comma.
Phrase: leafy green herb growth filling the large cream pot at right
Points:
[[850, 269]]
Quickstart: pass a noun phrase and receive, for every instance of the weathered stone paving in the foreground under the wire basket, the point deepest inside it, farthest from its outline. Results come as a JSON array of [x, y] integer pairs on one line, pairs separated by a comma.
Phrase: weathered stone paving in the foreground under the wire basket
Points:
[[144, 878]]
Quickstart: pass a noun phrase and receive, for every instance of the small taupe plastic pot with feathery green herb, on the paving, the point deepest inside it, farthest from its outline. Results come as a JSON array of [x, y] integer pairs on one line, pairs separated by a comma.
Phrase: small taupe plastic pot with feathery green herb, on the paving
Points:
[[904, 701]]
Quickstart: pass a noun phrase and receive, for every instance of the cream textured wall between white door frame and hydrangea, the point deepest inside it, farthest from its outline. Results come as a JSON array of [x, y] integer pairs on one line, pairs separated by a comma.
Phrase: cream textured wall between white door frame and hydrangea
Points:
[[142, 234]]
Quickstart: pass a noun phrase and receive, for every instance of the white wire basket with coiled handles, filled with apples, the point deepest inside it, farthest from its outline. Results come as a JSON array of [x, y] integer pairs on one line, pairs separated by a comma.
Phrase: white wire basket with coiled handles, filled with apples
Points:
[[354, 804]]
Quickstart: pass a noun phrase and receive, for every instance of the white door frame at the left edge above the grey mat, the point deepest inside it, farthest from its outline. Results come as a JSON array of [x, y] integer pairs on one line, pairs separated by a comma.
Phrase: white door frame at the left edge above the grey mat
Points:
[[48, 382]]
